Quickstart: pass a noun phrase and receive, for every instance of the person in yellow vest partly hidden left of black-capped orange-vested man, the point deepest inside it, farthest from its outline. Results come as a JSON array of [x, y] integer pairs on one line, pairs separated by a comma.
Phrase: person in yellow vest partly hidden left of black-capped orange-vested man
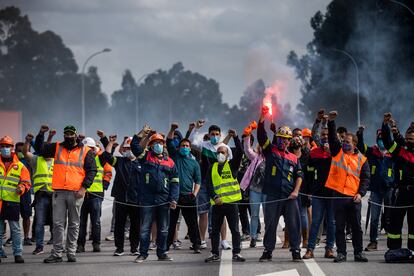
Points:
[[42, 172]]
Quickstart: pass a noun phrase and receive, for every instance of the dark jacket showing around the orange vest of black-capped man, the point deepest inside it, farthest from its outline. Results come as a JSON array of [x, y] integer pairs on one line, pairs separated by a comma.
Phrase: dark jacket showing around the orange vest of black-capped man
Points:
[[49, 150]]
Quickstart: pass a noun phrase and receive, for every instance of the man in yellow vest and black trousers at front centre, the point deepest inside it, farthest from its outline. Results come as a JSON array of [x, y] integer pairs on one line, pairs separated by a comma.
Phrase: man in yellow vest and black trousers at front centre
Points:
[[224, 191]]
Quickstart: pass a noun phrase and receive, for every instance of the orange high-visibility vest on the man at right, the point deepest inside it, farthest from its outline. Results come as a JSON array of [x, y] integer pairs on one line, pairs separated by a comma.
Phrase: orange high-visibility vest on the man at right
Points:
[[345, 171]]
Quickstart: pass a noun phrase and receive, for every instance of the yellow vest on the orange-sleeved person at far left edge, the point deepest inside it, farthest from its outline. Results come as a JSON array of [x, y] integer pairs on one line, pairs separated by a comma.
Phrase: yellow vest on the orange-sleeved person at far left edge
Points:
[[9, 183]]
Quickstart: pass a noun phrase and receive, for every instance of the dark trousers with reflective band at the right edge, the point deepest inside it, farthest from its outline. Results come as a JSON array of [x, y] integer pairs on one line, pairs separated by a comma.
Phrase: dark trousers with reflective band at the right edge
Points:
[[404, 197]]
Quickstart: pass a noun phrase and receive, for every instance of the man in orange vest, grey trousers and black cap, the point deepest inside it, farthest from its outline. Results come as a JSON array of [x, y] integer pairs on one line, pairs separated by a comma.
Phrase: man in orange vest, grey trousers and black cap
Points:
[[73, 172]]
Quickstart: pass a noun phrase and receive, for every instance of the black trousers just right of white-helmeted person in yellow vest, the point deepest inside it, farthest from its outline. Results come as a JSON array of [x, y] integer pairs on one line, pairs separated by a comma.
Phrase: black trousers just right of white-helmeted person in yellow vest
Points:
[[121, 213]]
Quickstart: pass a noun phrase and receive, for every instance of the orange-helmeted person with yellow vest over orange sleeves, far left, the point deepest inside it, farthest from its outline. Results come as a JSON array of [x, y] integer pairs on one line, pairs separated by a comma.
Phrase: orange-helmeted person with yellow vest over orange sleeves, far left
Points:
[[14, 182]]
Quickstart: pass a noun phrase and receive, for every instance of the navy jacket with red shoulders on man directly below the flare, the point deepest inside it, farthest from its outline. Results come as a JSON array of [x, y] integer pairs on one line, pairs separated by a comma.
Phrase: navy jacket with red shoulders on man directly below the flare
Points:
[[282, 167]]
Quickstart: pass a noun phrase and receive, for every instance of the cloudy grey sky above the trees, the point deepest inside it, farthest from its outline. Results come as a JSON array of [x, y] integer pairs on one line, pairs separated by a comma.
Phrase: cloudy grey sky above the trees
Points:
[[233, 42]]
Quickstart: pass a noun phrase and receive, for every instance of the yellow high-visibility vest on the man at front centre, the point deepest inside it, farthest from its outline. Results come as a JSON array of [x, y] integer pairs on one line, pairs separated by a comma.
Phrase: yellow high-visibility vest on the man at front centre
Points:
[[225, 185]]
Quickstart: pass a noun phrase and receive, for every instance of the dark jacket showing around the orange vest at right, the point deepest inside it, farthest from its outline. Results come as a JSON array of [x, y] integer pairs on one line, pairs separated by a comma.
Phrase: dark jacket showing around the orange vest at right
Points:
[[335, 147]]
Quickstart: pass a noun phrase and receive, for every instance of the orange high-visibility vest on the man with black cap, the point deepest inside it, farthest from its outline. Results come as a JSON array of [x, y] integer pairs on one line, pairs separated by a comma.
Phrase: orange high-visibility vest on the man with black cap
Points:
[[68, 172]]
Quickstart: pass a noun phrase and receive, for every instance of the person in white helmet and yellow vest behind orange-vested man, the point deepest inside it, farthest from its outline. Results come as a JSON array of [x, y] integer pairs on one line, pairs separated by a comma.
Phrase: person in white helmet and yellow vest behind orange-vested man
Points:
[[92, 205]]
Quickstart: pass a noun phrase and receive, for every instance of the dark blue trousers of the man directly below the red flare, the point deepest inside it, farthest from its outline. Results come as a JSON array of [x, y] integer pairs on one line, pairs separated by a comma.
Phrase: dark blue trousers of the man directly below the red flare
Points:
[[290, 210]]
